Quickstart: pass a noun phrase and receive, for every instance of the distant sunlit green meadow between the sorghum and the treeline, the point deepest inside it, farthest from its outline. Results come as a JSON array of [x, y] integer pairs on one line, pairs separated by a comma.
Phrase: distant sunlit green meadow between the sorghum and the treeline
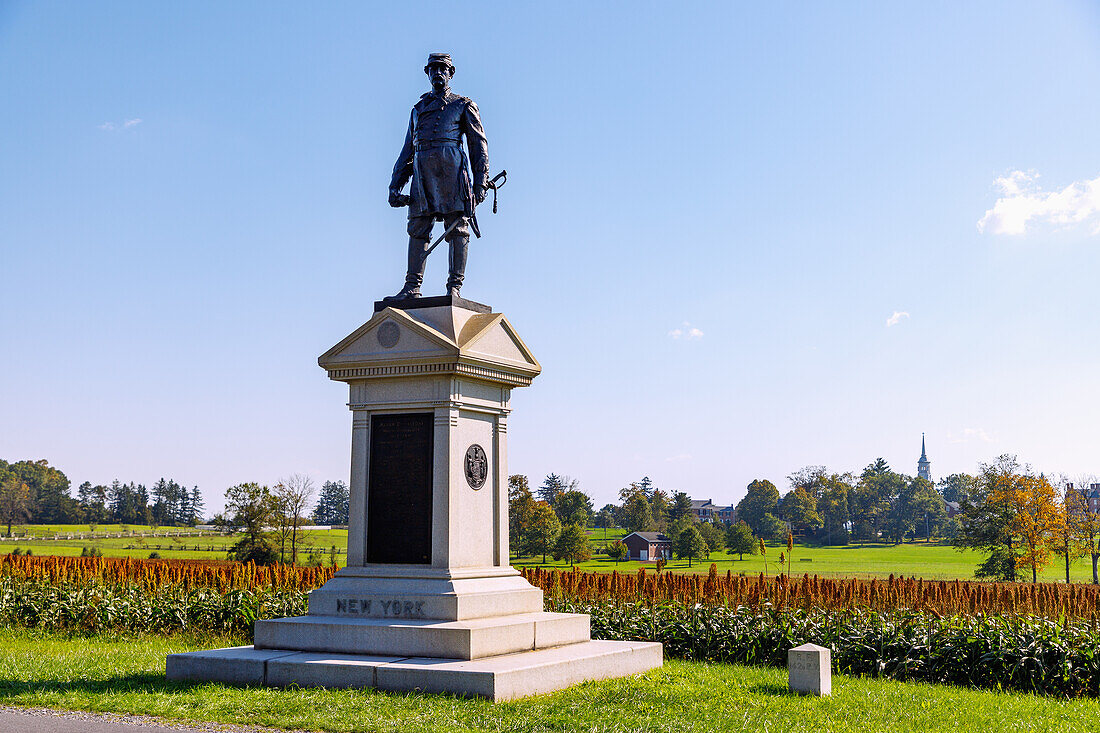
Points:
[[936, 561]]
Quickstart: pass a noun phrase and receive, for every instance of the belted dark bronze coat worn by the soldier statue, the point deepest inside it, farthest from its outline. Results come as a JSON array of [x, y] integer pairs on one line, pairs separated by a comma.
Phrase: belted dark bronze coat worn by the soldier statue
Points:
[[444, 179]]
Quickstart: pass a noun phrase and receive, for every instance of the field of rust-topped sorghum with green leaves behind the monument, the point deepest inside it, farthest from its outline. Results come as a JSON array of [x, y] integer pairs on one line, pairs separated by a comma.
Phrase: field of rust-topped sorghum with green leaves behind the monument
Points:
[[1042, 639]]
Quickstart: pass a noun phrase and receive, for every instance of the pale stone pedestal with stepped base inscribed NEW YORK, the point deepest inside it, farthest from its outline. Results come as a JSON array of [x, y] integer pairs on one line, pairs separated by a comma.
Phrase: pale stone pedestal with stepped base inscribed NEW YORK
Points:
[[428, 600]]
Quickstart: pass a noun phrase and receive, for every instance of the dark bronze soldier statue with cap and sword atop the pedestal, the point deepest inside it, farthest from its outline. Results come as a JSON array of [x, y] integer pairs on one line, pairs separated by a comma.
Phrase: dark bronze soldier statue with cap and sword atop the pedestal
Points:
[[447, 185]]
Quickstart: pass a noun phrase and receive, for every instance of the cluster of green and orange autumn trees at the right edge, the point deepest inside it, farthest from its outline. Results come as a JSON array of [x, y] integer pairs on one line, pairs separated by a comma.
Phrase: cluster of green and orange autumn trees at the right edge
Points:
[[1022, 520]]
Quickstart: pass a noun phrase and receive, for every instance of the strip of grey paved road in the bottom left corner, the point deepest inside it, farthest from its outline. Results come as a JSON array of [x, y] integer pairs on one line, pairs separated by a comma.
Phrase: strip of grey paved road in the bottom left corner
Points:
[[40, 720]]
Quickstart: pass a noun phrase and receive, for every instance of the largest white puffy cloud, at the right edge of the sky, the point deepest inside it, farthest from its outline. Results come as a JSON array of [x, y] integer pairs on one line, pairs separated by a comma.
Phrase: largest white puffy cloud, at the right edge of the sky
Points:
[[1024, 203]]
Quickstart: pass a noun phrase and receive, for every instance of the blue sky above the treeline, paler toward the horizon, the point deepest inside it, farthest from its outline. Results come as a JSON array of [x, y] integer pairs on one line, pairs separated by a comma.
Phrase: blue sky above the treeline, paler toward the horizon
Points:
[[714, 213]]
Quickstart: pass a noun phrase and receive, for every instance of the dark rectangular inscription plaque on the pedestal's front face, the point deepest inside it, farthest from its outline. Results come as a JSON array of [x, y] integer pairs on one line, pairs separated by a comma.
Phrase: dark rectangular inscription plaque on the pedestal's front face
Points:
[[399, 501]]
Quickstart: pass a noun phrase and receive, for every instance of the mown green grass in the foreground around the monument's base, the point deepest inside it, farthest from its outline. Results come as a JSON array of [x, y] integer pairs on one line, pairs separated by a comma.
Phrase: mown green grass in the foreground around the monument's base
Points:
[[126, 675]]
